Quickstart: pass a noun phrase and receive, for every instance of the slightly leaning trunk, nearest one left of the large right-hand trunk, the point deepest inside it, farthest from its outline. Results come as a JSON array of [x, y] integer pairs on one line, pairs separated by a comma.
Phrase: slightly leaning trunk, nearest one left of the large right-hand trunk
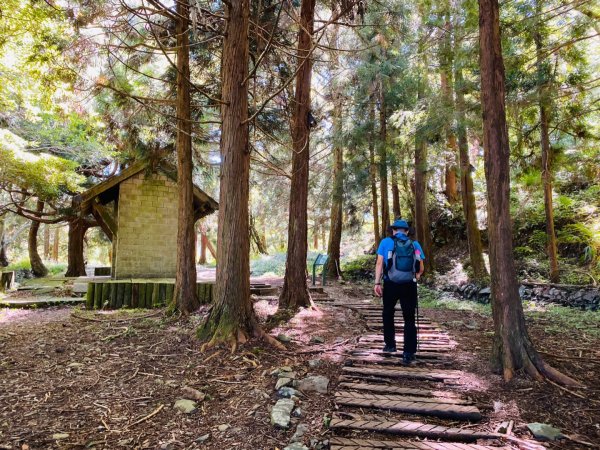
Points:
[[466, 181]]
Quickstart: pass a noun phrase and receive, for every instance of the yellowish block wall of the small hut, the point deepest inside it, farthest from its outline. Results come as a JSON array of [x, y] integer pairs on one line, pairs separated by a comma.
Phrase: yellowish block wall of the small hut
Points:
[[146, 244]]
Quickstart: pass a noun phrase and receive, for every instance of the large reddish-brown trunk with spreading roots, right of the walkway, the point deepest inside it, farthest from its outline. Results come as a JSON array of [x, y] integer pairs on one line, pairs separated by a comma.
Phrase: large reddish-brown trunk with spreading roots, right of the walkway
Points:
[[512, 348]]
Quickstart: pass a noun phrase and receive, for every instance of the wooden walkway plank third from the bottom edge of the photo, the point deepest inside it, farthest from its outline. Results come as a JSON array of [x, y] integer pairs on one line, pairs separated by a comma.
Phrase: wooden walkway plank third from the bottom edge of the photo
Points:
[[409, 405]]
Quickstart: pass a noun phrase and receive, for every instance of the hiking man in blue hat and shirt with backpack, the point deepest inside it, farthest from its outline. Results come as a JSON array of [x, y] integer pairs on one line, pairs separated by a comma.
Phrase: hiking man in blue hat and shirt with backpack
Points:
[[400, 262]]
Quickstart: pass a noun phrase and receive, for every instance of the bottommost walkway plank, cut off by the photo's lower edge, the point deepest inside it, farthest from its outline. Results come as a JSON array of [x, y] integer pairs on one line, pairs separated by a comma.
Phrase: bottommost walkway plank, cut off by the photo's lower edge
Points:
[[341, 443]]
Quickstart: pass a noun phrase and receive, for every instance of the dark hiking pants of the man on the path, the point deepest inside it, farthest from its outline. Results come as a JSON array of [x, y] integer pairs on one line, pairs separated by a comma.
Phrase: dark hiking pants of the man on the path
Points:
[[407, 294]]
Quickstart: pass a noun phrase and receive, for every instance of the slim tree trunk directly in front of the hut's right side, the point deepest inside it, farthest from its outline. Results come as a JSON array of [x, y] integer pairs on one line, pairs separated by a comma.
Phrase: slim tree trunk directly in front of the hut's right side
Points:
[[184, 296]]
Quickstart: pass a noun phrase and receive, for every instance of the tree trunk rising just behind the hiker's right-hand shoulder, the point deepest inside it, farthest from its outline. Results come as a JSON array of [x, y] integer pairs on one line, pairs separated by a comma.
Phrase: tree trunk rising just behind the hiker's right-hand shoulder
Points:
[[421, 169]]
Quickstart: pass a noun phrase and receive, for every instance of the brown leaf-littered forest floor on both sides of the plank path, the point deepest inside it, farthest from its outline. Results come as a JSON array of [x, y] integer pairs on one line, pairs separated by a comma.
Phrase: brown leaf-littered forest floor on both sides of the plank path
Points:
[[76, 379]]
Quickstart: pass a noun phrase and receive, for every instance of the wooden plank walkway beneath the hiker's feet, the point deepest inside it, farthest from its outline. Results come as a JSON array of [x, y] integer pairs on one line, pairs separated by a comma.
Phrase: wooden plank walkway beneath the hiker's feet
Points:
[[378, 382]]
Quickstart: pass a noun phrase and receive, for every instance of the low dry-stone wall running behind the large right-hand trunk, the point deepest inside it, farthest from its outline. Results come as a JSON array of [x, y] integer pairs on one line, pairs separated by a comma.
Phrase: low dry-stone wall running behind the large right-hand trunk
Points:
[[583, 297]]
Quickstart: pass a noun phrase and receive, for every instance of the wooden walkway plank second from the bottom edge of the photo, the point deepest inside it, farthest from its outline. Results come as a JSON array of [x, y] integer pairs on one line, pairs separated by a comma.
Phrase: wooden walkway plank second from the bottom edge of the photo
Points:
[[382, 424]]
